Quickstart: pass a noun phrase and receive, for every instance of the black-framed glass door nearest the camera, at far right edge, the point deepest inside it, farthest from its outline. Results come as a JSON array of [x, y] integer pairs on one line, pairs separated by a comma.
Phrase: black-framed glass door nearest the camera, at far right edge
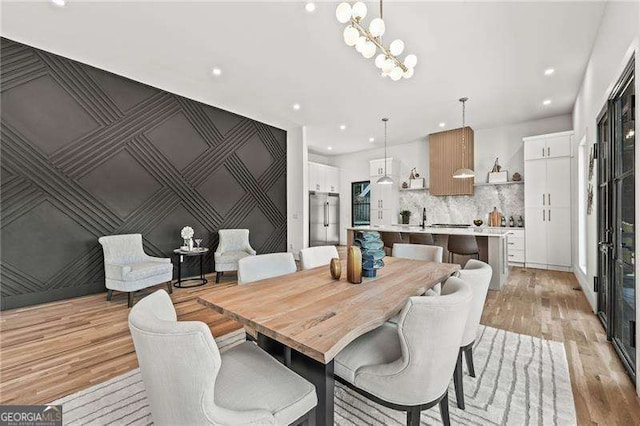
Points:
[[624, 286]]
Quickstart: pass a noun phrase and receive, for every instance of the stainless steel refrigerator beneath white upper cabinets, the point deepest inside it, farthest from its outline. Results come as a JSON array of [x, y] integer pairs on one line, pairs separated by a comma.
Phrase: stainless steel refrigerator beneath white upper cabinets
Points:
[[324, 219]]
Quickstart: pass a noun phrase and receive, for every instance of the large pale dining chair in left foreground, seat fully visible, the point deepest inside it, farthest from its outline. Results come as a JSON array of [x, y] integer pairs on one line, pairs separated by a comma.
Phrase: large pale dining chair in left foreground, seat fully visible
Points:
[[188, 382]]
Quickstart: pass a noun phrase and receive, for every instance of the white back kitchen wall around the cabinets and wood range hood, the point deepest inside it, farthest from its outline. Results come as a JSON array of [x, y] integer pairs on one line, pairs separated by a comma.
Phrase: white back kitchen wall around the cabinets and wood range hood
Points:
[[503, 142]]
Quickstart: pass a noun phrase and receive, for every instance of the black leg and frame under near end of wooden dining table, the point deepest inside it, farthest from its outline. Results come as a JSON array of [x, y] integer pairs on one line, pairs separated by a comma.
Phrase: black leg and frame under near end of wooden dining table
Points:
[[319, 374]]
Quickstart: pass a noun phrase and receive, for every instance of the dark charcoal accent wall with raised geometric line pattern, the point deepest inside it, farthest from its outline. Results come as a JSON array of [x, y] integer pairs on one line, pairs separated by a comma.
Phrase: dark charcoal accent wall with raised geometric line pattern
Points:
[[86, 153]]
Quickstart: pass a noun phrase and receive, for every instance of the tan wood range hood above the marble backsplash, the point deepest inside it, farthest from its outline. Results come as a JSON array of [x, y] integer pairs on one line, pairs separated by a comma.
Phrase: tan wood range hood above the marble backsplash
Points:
[[446, 155]]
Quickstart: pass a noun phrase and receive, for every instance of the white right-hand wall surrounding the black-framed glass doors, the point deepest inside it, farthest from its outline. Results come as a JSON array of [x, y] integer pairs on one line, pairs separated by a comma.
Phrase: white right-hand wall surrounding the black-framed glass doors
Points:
[[617, 40]]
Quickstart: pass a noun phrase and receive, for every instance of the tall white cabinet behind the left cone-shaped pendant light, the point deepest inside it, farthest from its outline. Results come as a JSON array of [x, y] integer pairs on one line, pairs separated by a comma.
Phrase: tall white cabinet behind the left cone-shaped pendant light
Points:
[[384, 198]]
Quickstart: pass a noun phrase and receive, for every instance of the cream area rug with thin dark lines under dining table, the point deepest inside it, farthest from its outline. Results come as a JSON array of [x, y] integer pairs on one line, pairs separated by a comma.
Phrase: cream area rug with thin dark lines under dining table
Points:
[[520, 380]]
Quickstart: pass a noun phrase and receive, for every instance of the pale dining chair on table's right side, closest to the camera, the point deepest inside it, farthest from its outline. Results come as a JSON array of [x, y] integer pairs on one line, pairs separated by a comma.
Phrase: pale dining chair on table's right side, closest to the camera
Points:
[[408, 366]]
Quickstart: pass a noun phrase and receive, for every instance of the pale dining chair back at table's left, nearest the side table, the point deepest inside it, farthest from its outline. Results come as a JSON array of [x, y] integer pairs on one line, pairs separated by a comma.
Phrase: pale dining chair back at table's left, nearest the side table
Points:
[[265, 266]]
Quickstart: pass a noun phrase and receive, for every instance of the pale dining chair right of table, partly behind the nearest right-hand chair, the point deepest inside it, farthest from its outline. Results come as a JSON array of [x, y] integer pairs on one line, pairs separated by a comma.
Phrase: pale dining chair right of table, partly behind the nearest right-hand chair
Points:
[[478, 275]]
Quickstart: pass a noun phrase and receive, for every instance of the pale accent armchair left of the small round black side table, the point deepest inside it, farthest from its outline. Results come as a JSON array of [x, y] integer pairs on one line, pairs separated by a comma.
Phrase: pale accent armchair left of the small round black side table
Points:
[[128, 268]]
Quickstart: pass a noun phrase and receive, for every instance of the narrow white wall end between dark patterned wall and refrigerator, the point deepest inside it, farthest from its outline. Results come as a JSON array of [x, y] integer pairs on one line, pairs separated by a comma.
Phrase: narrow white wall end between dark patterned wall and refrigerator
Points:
[[297, 195]]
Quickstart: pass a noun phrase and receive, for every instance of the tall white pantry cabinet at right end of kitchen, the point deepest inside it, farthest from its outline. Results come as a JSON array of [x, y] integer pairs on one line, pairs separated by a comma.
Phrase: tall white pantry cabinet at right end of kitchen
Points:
[[547, 201]]
